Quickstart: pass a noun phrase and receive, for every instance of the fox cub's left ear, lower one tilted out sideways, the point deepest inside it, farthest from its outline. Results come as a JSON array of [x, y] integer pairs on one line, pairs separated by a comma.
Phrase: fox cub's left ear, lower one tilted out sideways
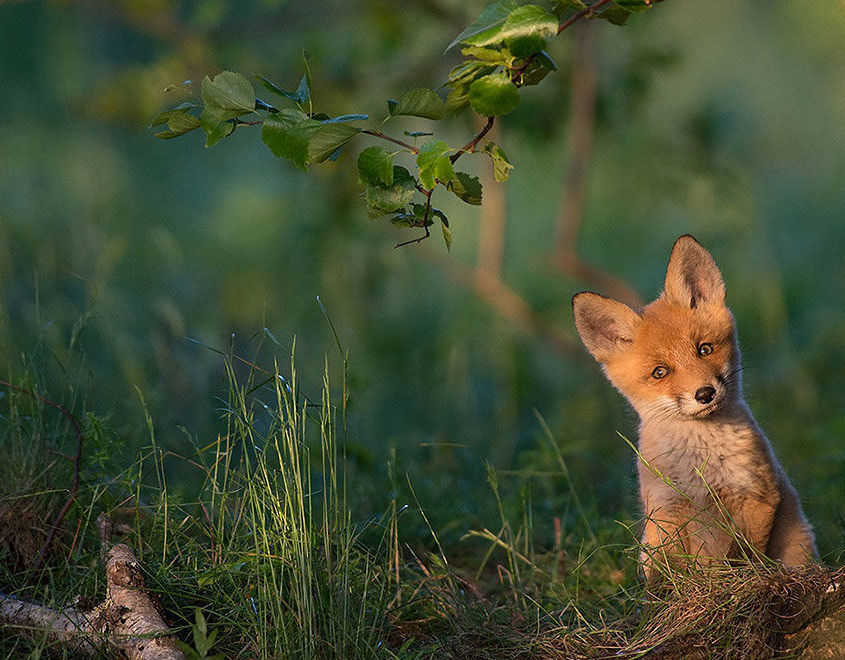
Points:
[[605, 325]]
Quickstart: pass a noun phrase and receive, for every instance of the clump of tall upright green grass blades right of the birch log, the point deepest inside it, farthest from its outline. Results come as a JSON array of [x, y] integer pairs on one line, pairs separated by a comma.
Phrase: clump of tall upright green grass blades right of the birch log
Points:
[[281, 529]]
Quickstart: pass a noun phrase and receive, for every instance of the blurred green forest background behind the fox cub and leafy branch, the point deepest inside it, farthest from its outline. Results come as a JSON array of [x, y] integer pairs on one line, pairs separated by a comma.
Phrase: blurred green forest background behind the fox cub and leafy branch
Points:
[[129, 265]]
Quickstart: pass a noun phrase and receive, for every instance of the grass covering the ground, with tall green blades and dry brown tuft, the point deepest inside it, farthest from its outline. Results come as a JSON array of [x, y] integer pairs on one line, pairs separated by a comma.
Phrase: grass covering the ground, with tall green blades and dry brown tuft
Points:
[[259, 555]]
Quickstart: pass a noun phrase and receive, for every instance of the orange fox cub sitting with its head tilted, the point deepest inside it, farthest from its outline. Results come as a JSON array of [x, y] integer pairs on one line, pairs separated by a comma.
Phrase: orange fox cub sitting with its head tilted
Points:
[[677, 362]]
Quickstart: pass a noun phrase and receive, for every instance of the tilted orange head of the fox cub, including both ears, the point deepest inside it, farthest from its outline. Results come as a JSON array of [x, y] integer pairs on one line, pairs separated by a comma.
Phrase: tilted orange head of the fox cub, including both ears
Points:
[[678, 357]]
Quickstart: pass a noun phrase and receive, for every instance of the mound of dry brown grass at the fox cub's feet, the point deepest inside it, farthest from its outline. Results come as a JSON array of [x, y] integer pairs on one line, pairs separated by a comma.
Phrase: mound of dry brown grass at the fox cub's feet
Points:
[[737, 612]]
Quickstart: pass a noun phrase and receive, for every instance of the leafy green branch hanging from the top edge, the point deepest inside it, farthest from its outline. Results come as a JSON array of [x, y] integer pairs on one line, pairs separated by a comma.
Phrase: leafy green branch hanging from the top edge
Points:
[[504, 50]]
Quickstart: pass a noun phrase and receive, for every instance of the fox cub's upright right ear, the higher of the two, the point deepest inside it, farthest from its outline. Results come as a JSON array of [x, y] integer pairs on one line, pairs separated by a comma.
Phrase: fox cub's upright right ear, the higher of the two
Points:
[[692, 277]]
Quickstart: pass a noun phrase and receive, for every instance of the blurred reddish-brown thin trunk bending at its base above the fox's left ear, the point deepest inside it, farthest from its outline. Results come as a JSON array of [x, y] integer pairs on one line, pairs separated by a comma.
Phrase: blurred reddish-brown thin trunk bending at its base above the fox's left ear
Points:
[[580, 133]]
